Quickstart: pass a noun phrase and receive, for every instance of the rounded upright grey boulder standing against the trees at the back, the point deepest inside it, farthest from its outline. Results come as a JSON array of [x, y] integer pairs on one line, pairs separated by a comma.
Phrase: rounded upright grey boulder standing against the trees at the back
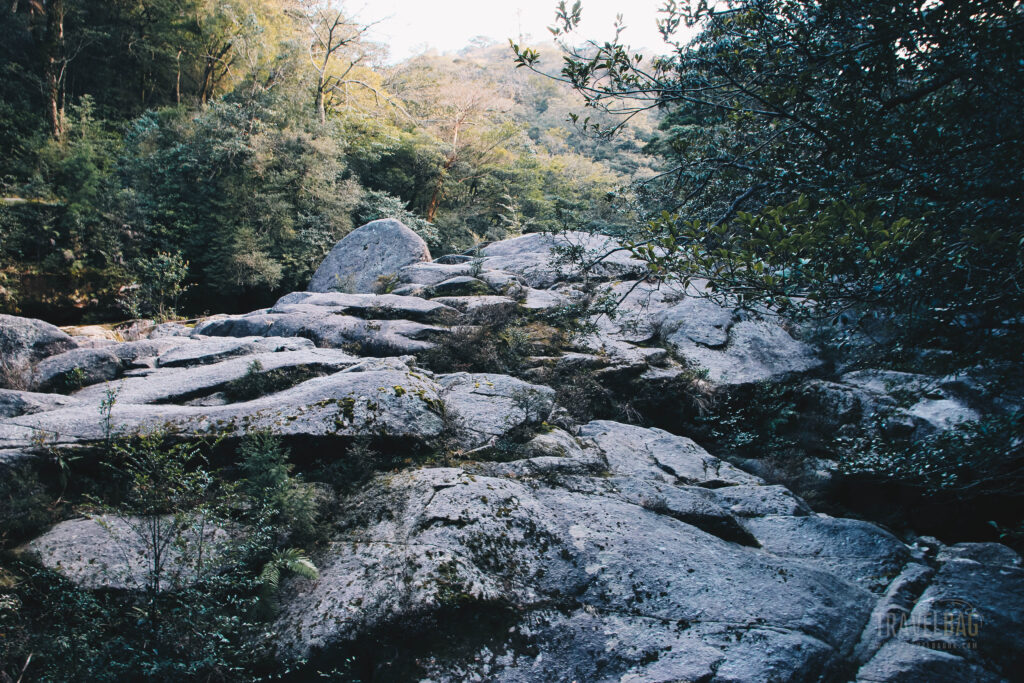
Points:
[[378, 249]]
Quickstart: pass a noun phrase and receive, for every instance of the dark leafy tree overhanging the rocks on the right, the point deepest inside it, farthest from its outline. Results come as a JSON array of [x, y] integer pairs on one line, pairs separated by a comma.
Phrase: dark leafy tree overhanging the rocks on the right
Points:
[[832, 158]]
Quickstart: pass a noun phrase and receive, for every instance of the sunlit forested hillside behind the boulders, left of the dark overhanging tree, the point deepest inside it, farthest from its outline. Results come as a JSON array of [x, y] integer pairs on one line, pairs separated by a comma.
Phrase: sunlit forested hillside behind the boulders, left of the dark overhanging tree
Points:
[[205, 155]]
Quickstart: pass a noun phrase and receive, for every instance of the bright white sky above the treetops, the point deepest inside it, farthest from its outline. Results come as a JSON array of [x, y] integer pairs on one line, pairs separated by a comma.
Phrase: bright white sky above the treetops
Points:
[[410, 27]]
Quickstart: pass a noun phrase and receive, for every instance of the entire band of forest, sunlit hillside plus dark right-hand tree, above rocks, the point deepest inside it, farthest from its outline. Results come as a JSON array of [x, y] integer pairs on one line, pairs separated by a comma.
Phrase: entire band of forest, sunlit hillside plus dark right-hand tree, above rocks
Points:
[[842, 160]]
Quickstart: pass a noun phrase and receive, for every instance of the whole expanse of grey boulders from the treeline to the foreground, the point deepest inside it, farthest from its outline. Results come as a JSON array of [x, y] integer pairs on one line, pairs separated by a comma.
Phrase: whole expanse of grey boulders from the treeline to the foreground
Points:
[[544, 547]]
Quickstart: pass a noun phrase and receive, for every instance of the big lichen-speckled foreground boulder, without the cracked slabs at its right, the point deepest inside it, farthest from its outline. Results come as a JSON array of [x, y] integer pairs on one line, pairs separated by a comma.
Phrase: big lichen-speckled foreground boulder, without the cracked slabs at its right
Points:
[[634, 571]]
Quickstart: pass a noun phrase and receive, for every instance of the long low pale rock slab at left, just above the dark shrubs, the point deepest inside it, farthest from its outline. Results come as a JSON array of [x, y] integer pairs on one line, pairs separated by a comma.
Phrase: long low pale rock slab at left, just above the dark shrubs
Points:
[[387, 399]]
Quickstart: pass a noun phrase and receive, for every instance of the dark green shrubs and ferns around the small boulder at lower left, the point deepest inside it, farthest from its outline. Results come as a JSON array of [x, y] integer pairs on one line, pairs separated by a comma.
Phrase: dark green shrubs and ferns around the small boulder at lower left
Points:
[[211, 629]]
